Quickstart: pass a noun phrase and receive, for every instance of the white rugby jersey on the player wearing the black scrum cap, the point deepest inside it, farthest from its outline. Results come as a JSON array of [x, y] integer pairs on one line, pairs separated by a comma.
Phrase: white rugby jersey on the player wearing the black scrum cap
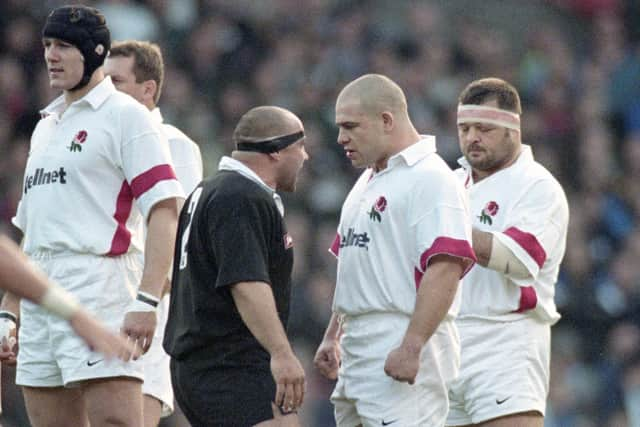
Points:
[[86, 168]]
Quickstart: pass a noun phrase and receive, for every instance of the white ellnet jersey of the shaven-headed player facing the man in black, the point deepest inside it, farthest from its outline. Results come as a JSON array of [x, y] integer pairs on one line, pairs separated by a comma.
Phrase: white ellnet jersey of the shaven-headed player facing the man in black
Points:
[[391, 223]]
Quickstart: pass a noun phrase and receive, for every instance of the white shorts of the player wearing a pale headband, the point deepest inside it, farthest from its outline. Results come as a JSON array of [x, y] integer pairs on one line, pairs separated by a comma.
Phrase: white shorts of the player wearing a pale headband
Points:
[[504, 370]]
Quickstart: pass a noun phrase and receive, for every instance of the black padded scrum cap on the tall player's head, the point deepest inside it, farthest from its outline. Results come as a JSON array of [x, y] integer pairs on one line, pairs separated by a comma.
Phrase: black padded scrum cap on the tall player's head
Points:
[[85, 28]]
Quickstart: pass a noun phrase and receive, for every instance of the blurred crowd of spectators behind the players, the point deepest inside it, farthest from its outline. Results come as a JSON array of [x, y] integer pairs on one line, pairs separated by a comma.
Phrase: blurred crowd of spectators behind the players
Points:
[[575, 62]]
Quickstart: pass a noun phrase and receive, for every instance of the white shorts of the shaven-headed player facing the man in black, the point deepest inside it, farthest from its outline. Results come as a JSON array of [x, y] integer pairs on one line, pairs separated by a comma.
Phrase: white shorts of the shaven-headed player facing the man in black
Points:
[[365, 395]]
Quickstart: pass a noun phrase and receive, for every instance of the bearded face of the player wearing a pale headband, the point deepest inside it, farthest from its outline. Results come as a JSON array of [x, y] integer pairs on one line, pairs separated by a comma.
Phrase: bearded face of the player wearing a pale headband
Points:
[[487, 147]]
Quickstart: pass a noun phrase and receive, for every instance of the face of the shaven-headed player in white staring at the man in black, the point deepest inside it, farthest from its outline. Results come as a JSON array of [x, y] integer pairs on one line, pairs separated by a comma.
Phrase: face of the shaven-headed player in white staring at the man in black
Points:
[[360, 134]]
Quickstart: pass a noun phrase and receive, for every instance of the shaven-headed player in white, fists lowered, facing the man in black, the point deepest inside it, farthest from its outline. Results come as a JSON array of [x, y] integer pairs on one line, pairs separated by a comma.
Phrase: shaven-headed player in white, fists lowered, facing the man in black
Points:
[[403, 244]]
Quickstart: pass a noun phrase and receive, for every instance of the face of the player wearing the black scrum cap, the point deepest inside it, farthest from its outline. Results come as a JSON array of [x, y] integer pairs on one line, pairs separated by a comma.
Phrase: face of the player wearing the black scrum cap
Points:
[[65, 63]]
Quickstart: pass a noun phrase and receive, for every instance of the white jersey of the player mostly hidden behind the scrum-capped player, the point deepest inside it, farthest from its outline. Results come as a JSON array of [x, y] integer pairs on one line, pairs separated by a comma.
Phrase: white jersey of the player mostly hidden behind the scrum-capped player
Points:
[[187, 160]]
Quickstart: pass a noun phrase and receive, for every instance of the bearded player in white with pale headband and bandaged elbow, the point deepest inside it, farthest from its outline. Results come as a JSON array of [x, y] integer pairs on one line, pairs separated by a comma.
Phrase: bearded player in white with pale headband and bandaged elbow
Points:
[[520, 215]]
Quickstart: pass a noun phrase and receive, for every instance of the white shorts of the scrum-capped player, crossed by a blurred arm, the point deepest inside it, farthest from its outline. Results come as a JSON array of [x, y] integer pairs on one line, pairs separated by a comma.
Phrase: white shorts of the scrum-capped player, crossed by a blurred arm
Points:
[[51, 354]]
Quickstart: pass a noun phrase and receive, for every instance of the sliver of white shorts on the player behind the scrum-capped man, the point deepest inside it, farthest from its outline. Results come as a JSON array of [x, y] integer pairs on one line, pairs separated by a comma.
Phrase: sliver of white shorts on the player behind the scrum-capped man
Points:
[[157, 375]]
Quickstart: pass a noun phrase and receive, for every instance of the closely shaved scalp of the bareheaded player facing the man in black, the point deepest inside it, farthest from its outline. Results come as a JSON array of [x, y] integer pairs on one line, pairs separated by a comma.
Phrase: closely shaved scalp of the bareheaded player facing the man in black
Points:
[[374, 93]]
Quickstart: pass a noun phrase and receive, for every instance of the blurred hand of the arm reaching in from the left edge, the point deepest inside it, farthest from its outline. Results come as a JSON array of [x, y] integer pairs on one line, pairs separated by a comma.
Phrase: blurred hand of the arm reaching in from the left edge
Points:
[[101, 340]]
